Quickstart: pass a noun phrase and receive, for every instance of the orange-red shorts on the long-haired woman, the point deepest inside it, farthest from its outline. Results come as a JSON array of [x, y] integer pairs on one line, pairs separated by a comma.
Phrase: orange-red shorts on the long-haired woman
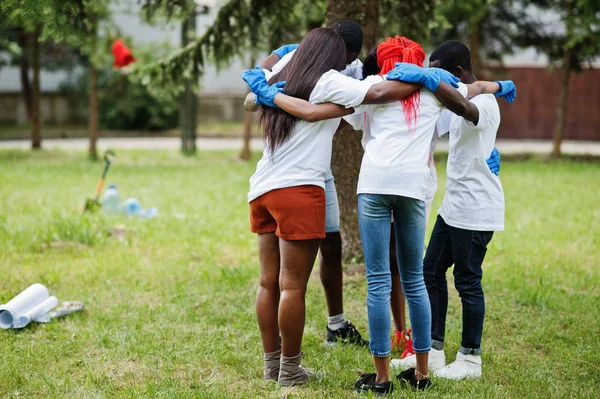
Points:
[[293, 213]]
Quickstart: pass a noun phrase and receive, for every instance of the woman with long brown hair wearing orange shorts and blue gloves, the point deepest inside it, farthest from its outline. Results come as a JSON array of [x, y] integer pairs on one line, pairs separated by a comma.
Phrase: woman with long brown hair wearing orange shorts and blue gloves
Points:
[[287, 199]]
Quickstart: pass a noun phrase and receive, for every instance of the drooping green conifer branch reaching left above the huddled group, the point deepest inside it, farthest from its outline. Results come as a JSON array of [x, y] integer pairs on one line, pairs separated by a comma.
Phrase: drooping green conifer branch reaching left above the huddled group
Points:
[[238, 26]]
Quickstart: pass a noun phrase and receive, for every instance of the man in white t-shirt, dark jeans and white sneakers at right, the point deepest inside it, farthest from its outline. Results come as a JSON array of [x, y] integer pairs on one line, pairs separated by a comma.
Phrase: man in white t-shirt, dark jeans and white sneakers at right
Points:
[[472, 209]]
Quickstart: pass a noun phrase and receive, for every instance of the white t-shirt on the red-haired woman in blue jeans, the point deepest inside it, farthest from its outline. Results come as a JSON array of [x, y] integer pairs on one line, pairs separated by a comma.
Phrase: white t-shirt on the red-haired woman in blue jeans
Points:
[[396, 160]]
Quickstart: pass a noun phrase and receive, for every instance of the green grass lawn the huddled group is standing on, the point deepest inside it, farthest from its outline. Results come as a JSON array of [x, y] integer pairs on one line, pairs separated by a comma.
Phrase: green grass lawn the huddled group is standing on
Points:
[[170, 301]]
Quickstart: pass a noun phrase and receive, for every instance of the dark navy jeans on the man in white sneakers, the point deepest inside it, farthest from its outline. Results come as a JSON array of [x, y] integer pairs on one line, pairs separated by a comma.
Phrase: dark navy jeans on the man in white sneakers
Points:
[[466, 250]]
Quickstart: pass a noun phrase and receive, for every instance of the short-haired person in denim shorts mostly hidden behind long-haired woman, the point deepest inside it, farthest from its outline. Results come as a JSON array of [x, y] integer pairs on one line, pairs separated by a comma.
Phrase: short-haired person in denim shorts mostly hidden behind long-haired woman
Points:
[[339, 330]]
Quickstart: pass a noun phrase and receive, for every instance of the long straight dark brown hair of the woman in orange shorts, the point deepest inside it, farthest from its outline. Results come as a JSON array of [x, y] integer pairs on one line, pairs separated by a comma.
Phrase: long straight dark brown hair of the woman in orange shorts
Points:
[[320, 51]]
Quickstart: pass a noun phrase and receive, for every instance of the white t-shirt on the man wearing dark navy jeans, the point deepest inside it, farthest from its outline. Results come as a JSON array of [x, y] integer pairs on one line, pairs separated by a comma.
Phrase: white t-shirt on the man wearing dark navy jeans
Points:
[[474, 199]]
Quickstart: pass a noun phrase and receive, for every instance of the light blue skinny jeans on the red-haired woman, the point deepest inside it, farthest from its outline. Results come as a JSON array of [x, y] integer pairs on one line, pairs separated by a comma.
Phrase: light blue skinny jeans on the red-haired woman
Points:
[[374, 212]]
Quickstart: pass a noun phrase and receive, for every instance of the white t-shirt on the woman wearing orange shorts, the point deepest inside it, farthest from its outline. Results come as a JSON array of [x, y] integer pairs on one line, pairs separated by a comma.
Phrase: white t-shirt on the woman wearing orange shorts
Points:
[[305, 158]]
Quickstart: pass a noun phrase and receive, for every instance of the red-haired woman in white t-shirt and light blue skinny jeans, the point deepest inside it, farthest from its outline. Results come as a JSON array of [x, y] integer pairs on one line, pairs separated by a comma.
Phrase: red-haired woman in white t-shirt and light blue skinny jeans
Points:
[[395, 170]]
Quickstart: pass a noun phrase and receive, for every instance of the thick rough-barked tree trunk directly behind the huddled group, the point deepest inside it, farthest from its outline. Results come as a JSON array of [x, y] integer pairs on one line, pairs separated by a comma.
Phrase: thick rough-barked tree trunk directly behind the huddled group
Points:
[[347, 150]]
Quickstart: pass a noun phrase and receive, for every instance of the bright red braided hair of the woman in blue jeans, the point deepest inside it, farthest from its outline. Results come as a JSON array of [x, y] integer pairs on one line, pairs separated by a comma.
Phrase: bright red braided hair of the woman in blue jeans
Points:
[[401, 49]]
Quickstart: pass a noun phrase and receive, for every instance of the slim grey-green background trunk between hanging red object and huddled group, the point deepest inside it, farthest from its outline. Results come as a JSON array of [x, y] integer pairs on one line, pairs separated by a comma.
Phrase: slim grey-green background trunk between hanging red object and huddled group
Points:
[[187, 105]]
